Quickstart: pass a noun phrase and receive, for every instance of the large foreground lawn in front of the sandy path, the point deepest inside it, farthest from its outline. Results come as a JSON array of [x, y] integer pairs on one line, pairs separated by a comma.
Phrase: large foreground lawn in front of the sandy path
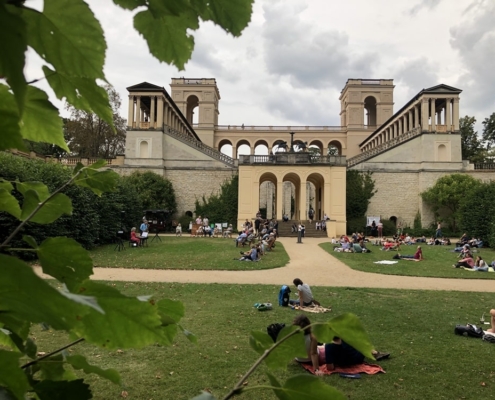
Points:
[[428, 361]]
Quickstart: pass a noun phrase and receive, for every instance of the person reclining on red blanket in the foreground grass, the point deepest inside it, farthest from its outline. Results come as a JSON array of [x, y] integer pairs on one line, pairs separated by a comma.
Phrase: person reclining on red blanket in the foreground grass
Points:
[[337, 354]]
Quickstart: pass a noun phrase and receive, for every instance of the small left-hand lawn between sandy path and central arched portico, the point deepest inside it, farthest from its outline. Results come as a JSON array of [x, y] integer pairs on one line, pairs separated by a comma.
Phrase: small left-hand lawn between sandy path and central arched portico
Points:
[[187, 253]]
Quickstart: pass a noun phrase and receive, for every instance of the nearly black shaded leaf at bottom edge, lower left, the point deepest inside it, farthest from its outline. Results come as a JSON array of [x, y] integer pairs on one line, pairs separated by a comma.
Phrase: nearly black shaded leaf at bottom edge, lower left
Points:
[[63, 390]]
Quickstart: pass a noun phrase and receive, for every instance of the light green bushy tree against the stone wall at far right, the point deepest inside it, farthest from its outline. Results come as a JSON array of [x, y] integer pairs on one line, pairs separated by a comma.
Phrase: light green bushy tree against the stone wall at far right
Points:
[[448, 193]]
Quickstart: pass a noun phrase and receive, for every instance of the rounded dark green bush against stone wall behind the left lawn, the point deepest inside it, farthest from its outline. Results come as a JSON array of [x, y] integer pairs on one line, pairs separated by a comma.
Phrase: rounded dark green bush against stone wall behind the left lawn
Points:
[[153, 190]]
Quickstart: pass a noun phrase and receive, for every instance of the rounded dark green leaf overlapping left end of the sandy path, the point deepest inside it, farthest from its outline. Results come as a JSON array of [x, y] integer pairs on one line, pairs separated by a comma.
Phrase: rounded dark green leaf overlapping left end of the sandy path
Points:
[[66, 260]]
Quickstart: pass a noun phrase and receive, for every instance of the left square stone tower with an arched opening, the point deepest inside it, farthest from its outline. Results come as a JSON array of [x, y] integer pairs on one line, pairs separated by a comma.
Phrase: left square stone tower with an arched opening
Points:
[[198, 96]]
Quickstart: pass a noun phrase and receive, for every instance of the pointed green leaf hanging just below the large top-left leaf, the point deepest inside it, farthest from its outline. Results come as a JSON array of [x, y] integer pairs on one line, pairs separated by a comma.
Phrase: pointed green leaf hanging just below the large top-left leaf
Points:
[[83, 93]]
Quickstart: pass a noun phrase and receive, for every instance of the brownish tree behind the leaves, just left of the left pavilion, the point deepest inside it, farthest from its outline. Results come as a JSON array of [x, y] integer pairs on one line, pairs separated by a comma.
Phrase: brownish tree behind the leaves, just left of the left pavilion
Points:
[[91, 136]]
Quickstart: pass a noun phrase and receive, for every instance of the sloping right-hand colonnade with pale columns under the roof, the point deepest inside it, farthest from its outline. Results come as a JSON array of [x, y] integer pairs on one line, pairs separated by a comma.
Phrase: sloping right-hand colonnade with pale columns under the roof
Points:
[[429, 114]]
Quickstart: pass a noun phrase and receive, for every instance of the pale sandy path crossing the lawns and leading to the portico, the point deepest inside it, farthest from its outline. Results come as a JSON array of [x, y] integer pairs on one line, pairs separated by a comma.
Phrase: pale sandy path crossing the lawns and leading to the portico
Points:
[[308, 262]]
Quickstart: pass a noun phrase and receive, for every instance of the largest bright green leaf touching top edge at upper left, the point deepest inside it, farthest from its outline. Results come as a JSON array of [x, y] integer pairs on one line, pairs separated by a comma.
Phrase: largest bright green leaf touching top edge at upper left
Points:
[[69, 37]]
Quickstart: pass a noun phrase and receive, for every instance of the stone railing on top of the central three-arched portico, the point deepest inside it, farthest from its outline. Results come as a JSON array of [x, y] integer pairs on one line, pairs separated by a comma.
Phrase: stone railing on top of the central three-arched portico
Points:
[[292, 159]]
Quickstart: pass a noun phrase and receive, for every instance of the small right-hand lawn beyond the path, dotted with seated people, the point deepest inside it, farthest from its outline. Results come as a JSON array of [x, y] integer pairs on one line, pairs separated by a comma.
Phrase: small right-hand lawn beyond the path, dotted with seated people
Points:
[[437, 263]]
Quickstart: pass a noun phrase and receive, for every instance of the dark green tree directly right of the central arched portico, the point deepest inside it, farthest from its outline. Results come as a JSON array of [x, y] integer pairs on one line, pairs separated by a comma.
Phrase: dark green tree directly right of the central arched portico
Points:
[[359, 191]]
